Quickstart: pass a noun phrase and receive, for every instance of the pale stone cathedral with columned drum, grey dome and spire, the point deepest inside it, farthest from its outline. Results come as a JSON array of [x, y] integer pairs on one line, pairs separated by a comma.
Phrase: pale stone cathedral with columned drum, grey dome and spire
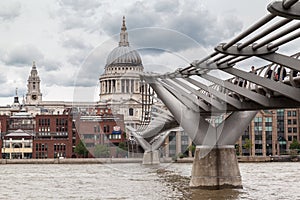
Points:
[[120, 84]]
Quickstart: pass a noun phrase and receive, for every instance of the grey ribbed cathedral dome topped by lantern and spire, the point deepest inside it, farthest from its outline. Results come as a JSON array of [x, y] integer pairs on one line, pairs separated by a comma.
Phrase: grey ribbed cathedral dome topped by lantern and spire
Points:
[[123, 54]]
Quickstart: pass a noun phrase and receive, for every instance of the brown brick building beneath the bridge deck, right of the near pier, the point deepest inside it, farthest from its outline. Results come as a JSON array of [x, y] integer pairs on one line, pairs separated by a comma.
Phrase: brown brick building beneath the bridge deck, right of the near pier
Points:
[[270, 133]]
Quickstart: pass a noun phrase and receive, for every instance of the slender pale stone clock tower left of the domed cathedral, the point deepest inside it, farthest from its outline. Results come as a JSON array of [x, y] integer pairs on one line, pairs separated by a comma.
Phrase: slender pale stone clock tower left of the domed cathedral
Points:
[[34, 95]]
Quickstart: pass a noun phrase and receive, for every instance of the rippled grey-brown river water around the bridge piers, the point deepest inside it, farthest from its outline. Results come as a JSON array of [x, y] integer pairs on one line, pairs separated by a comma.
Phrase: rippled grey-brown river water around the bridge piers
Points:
[[134, 181]]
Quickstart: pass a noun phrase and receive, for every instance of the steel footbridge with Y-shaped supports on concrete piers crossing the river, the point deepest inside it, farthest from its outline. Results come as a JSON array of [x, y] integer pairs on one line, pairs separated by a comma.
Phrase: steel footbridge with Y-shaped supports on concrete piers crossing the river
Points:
[[193, 97]]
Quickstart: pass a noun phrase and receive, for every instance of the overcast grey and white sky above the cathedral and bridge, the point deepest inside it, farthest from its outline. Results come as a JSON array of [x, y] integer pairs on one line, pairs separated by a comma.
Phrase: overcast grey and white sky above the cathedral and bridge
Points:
[[71, 39]]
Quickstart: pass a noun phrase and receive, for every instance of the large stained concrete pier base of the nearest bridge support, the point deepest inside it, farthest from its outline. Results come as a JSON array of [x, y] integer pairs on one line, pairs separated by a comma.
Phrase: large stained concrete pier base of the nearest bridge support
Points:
[[215, 167]]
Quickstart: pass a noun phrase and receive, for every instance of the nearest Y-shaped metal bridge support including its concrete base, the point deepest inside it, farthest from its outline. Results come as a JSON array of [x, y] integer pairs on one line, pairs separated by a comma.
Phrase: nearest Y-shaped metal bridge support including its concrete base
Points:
[[215, 165]]
